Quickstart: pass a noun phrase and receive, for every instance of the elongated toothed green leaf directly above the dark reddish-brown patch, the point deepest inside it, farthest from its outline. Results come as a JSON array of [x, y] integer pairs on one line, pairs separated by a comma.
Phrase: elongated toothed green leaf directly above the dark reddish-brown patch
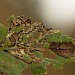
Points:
[[59, 37]]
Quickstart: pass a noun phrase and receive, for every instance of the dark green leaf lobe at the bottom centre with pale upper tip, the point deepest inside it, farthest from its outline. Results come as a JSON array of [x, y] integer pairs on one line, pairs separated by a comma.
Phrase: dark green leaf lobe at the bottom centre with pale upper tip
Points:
[[39, 69]]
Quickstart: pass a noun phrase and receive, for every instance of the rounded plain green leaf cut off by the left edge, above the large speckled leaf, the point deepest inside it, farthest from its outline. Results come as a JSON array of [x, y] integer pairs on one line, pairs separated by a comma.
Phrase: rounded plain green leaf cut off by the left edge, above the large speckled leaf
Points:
[[3, 32]]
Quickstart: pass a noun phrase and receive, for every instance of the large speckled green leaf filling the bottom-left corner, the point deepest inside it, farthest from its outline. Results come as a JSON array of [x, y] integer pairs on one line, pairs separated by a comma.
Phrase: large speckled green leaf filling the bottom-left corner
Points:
[[10, 65]]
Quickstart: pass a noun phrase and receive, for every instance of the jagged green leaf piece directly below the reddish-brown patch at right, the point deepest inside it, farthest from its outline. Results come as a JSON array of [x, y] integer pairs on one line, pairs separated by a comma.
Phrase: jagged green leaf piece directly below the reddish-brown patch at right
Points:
[[59, 61]]
